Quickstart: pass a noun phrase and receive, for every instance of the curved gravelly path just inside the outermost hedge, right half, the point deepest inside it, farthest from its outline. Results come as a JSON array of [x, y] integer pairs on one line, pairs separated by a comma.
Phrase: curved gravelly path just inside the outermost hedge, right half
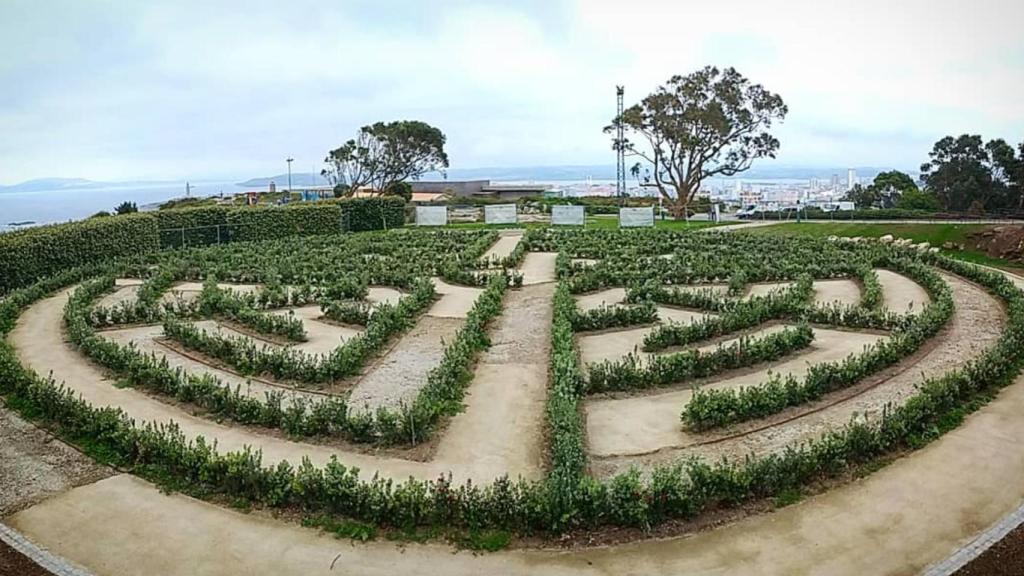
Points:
[[975, 326]]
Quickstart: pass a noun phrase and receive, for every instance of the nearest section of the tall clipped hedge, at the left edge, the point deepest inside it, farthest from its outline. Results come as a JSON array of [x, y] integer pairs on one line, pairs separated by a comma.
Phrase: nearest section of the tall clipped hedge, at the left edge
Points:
[[31, 255]]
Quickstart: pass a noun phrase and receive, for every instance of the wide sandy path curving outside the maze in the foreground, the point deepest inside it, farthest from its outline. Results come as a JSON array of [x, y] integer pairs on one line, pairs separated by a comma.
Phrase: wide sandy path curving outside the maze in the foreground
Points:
[[935, 501]]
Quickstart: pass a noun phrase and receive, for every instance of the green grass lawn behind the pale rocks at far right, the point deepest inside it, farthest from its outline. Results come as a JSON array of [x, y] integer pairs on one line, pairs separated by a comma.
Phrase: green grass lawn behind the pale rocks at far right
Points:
[[934, 234]]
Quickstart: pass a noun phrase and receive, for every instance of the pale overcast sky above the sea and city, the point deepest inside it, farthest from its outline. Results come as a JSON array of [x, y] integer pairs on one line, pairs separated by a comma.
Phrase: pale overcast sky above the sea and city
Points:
[[179, 90]]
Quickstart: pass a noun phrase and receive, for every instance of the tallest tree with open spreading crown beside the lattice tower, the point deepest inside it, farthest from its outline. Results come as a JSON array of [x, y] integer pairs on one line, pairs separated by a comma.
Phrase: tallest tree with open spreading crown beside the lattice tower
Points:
[[710, 124]]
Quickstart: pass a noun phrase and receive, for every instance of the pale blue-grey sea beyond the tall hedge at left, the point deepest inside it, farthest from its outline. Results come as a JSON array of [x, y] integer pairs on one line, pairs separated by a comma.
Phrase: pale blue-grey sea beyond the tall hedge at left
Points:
[[49, 207]]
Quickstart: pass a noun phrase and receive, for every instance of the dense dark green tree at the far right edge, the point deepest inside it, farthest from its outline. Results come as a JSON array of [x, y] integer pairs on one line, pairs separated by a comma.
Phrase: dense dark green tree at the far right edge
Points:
[[966, 174]]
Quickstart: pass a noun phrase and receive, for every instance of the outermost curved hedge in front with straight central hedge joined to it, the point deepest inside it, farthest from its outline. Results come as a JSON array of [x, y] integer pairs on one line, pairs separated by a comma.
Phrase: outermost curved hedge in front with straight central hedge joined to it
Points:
[[567, 500]]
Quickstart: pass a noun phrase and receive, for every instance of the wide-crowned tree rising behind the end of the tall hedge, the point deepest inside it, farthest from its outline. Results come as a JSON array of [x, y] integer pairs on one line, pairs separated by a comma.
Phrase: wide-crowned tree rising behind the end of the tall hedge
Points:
[[383, 154]]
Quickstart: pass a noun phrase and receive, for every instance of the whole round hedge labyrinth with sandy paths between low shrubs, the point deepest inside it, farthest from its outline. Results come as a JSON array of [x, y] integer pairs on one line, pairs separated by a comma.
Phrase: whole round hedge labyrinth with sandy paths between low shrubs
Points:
[[646, 376]]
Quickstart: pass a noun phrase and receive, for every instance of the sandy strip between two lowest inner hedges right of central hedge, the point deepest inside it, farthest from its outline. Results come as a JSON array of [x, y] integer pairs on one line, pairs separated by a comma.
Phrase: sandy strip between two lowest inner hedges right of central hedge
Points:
[[645, 424]]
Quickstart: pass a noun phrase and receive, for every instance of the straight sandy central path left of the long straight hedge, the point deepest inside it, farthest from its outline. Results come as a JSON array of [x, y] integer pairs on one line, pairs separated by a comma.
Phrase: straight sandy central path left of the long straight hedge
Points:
[[503, 423]]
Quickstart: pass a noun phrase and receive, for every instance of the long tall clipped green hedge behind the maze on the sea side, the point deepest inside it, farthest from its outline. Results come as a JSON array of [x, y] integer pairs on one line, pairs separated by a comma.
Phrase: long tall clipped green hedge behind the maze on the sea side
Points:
[[31, 255]]
